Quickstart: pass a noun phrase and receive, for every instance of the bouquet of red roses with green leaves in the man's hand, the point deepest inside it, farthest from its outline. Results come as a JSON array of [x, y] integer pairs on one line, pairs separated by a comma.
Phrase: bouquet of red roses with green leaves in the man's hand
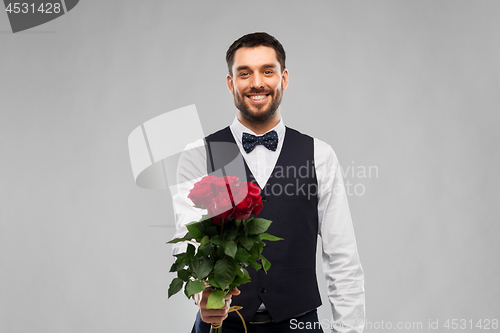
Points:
[[229, 239]]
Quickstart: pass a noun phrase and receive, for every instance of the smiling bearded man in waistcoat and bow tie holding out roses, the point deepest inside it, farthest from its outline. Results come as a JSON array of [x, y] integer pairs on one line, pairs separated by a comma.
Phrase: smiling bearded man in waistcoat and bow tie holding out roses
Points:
[[302, 185]]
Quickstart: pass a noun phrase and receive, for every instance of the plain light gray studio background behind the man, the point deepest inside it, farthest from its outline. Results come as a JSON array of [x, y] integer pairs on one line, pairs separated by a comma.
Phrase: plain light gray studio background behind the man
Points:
[[411, 87]]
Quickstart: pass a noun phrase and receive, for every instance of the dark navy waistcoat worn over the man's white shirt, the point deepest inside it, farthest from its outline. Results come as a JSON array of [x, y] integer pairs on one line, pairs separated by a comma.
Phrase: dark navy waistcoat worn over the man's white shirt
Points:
[[290, 287]]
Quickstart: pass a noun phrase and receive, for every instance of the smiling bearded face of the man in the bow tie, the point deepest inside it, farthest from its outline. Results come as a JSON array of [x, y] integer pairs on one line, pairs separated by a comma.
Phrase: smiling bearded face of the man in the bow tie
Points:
[[257, 82]]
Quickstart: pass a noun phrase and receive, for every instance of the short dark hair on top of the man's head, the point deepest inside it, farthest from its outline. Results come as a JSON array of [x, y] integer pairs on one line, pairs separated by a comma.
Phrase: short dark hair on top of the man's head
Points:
[[253, 40]]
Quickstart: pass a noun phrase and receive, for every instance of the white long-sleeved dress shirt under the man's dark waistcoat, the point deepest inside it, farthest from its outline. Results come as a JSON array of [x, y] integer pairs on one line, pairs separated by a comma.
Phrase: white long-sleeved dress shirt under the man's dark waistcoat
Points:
[[341, 264]]
